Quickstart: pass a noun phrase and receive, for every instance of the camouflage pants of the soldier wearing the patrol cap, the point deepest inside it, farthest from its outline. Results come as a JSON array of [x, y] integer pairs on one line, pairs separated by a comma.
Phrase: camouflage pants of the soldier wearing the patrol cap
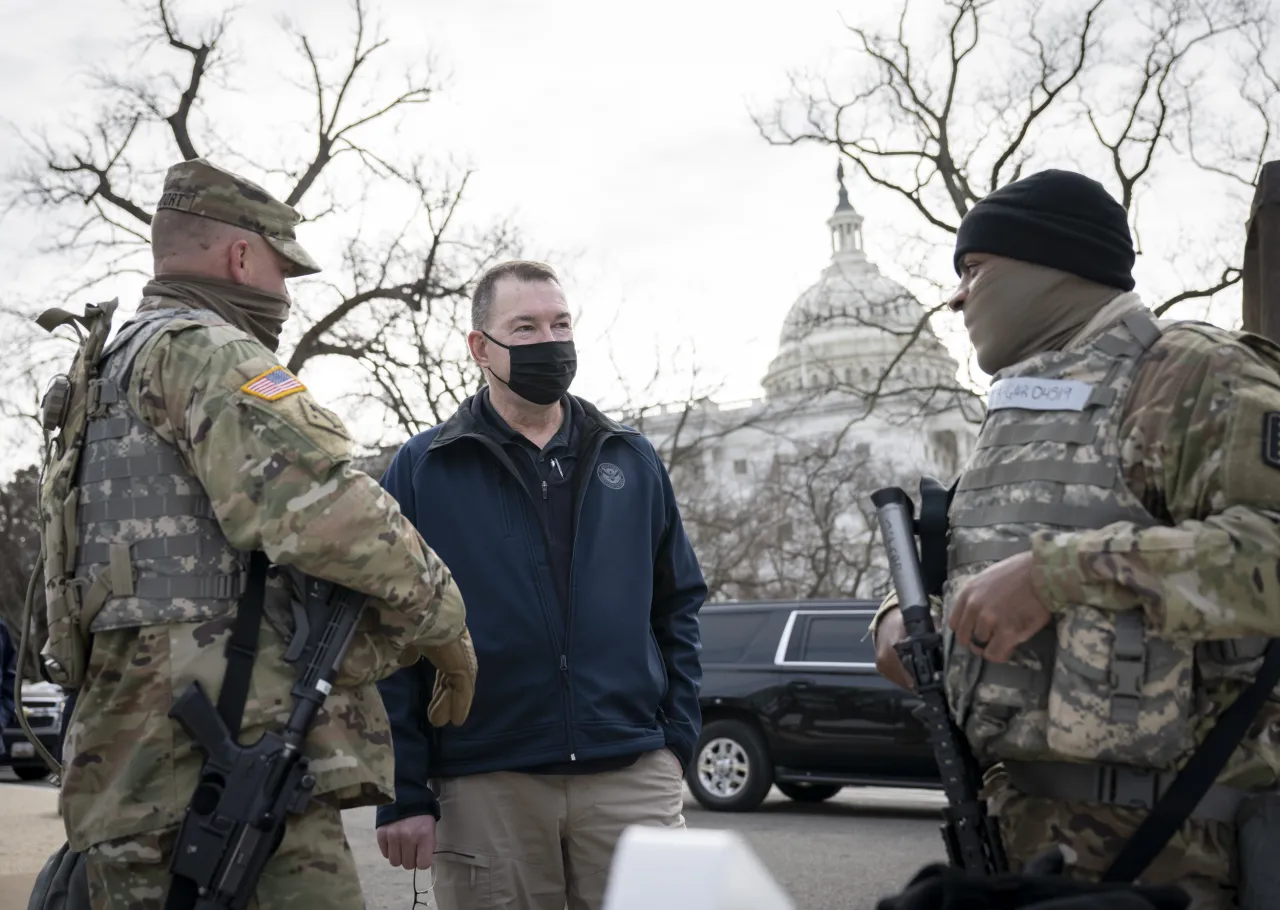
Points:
[[313, 868]]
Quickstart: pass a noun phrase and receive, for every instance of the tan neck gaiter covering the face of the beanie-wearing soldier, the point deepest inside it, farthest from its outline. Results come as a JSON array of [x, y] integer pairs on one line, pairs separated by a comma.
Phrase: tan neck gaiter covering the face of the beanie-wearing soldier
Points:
[[1016, 310]]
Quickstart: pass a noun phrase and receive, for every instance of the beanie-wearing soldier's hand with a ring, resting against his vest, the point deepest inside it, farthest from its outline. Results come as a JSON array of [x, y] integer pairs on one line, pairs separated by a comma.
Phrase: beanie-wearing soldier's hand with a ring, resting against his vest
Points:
[[998, 610]]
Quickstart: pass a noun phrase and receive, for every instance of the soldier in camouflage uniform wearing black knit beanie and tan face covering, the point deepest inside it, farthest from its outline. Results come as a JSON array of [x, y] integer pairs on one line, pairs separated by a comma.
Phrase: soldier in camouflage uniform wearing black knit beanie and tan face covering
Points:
[[1114, 543]]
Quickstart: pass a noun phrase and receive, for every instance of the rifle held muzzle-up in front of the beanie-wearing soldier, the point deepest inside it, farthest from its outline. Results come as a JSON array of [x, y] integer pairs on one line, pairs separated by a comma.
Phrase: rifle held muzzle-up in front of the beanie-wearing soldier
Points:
[[972, 836]]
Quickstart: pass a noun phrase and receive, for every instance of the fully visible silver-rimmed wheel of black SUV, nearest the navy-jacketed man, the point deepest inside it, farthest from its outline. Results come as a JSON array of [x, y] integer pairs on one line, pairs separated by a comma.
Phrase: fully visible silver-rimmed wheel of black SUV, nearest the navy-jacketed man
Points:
[[732, 770]]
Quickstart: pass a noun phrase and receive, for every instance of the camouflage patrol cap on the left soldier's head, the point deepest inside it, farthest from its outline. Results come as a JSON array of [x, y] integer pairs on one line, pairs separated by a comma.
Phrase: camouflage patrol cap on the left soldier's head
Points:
[[199, 188]]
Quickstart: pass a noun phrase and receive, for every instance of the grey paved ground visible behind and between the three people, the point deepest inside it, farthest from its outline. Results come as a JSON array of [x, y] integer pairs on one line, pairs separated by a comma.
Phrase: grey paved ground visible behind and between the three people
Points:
[[840, 856]]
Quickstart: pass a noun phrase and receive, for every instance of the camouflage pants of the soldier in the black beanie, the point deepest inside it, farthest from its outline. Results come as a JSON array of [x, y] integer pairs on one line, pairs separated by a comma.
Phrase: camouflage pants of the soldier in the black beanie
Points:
[[1201, 858]]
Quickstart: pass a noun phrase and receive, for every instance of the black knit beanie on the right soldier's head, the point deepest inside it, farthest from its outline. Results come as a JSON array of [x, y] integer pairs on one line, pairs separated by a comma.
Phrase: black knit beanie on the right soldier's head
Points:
[[1054, 218]]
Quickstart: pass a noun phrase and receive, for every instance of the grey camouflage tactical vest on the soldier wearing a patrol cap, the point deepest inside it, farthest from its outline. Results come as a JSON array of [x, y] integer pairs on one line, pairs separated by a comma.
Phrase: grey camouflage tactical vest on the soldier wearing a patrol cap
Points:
[[136, 542]]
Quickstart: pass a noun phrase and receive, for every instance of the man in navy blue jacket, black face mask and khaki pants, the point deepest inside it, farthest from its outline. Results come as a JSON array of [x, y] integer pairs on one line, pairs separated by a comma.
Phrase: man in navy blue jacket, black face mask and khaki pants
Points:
[[583, 592]]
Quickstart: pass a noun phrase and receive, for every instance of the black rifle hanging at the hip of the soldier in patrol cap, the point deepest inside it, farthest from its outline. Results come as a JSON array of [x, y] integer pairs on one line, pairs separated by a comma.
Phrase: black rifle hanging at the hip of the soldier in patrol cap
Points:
[[237, 815]]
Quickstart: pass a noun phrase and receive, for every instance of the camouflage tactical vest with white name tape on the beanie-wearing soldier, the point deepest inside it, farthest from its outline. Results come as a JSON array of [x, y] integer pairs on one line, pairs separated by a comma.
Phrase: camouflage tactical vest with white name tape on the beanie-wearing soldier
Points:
[[1094, 685]]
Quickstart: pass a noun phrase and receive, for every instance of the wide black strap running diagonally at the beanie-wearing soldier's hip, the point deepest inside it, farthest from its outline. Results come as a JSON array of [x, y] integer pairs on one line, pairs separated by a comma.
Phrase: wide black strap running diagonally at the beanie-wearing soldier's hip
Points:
[[1197, 776]]
